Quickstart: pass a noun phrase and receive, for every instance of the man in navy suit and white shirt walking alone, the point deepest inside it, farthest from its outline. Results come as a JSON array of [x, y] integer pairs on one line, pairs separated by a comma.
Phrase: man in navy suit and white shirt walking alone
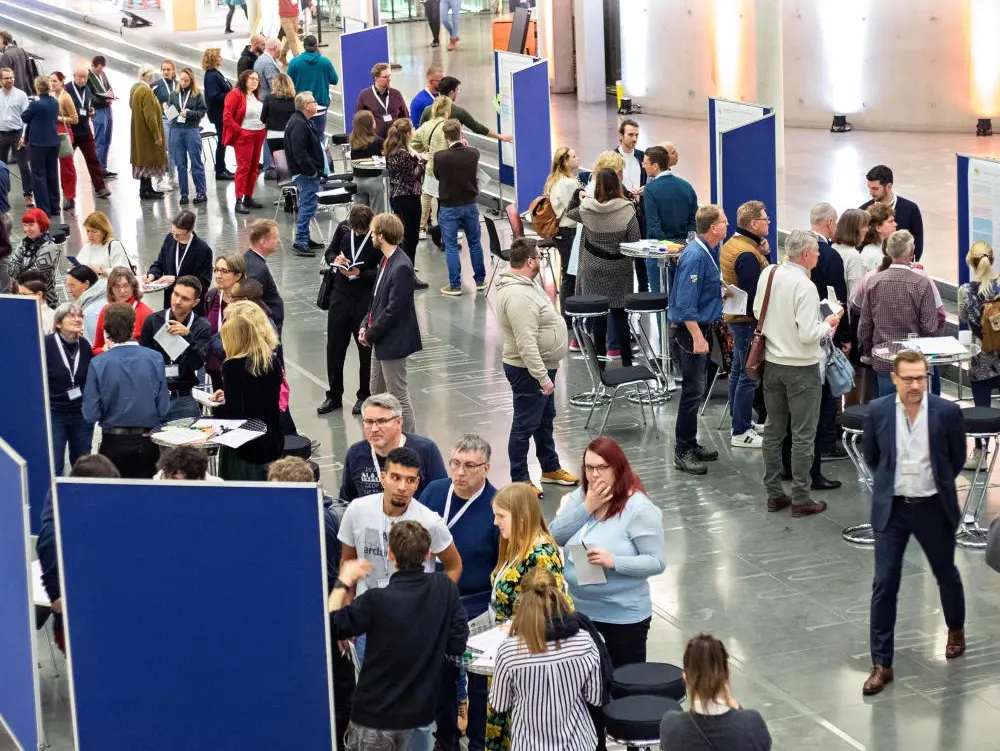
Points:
[[914, 494]]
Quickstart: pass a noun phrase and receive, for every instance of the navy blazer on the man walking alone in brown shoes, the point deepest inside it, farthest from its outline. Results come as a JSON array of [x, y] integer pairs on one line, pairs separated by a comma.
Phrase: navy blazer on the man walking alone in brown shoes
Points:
[[947, 442]]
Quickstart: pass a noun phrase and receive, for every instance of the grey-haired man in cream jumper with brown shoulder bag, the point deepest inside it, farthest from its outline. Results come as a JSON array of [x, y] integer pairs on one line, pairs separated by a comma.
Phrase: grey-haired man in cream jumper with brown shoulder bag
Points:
[[793, 329]]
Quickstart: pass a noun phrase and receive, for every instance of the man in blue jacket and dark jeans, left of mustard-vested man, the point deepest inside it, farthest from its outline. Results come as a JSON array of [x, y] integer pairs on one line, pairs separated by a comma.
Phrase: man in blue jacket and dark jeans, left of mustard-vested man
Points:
[[696, 304]]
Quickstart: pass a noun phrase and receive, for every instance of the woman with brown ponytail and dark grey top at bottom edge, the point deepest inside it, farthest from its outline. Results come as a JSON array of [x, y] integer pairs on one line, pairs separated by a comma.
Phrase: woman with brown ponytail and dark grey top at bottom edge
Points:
[[714, 719]]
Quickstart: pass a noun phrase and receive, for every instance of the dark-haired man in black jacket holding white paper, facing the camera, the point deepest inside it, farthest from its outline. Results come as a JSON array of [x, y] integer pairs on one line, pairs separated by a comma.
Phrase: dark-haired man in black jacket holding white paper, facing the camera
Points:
[[182, 337]]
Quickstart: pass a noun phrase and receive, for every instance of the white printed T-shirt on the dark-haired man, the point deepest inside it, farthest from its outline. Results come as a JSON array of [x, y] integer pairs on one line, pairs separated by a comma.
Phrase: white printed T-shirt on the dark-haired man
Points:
[[365, 527]]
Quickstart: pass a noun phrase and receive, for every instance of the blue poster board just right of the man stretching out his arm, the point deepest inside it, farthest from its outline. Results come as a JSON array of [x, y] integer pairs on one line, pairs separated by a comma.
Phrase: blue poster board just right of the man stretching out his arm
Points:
[[532, 133]]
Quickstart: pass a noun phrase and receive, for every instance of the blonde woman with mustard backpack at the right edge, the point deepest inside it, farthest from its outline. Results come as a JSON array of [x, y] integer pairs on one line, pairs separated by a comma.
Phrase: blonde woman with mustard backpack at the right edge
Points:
[[973, 298]]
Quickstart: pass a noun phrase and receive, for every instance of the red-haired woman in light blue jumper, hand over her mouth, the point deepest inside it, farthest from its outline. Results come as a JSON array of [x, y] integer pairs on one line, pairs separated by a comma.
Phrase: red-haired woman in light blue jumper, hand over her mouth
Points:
[[609, 522]]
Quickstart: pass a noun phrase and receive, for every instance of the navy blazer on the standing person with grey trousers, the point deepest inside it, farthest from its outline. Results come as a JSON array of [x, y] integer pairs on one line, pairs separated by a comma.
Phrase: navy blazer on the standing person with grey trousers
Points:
[[392, 328]]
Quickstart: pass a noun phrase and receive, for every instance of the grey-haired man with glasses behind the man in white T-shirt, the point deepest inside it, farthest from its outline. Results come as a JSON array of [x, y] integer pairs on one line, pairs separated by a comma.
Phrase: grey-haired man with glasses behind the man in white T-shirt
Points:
[[382, 419]]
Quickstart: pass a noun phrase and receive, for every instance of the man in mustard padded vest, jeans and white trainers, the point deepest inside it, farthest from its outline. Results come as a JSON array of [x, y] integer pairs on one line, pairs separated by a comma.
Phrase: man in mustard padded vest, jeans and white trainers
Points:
[[742, 258]]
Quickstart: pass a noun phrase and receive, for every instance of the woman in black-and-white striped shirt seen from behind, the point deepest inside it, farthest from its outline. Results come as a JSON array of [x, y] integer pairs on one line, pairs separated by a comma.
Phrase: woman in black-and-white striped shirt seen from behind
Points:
[[547, 639]]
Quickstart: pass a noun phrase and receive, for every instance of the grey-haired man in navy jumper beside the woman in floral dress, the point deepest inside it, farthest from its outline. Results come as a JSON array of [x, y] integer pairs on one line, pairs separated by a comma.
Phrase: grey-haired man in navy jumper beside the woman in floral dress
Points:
[[465, 504]]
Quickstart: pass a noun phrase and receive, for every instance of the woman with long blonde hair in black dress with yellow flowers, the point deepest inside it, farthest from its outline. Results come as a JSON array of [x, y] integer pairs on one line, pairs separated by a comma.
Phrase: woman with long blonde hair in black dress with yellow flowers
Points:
[[525, 545]]
